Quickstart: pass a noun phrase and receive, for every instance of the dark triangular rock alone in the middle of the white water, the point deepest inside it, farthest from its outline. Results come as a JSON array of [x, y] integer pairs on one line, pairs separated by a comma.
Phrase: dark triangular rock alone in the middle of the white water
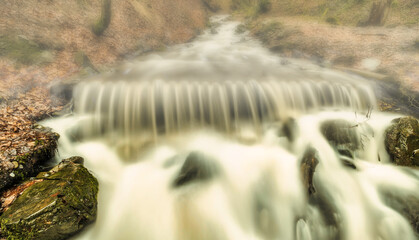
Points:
[[198, 167]]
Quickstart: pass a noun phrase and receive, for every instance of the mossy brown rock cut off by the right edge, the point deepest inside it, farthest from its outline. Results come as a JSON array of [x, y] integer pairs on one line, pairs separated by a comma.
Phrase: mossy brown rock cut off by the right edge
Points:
[[402, 141]]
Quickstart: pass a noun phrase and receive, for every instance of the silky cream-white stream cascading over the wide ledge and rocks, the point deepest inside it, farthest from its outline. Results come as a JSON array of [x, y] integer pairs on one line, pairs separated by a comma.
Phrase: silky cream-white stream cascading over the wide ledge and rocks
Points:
[[205, 142]]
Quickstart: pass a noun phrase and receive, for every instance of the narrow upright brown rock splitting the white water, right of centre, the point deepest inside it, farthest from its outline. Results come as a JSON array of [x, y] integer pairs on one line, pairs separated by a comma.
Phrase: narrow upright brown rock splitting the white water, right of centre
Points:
[[308, 167]]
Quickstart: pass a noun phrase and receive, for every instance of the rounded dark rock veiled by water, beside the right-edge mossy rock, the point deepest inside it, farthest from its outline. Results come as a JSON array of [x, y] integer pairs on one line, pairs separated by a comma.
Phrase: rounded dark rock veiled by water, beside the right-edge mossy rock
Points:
[[341, 134]]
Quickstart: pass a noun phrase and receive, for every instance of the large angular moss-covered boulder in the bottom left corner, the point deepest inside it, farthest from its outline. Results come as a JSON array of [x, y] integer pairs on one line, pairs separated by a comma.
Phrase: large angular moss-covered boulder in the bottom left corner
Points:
[[59, 204]]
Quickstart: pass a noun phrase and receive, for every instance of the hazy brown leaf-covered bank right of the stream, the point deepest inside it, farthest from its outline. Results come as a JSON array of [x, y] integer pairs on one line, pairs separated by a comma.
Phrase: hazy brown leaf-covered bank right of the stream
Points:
[[386, 54]]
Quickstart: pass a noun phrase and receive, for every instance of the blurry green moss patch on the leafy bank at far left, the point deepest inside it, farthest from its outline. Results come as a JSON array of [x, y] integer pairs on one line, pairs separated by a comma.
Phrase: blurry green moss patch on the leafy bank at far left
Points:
[[23, 51]]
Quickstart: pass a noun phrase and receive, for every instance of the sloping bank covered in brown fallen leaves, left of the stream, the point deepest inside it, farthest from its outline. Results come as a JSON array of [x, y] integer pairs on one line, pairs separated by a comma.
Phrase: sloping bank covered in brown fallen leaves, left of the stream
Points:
[[45, 42]]
